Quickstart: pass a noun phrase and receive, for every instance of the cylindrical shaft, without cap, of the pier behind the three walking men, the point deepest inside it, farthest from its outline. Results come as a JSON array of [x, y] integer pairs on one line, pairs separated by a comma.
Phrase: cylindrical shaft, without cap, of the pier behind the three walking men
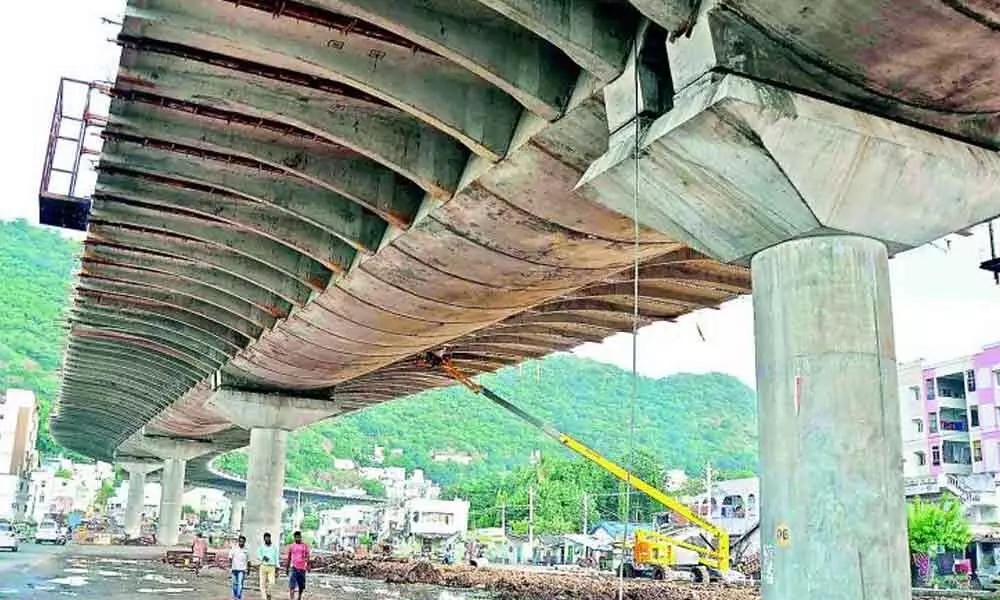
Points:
[[265, 482]]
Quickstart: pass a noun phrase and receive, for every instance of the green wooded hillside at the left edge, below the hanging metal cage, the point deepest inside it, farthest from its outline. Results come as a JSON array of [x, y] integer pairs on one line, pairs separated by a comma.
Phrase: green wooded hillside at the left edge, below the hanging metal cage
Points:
[[36, 267]]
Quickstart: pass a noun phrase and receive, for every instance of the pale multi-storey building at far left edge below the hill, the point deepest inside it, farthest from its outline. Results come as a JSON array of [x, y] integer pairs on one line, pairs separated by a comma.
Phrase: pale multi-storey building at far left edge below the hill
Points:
[[18, 433]]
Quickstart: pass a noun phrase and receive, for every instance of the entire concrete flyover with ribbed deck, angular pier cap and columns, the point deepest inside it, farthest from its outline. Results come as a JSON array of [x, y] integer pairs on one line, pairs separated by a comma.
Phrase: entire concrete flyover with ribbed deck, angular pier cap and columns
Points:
[[296, 197]]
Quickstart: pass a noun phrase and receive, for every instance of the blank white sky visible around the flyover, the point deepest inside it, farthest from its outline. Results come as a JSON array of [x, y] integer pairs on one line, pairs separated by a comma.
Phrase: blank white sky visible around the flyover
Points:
[[944, 305]]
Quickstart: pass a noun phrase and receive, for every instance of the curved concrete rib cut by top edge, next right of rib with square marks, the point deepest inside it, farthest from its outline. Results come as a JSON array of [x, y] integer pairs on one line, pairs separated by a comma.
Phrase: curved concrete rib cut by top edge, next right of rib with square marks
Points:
[[528, 68]]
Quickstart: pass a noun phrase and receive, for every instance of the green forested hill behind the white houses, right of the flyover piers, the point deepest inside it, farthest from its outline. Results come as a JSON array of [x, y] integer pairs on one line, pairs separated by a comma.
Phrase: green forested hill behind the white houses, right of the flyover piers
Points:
[[684, 421]]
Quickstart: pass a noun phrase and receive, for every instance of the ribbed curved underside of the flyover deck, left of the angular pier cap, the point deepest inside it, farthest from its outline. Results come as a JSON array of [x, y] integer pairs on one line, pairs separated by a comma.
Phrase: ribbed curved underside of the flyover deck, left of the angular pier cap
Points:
[[304, 195]]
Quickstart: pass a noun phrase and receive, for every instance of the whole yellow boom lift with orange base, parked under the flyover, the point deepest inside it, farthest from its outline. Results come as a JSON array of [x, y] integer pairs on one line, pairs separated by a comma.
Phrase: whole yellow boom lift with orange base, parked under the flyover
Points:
[[650, 548]]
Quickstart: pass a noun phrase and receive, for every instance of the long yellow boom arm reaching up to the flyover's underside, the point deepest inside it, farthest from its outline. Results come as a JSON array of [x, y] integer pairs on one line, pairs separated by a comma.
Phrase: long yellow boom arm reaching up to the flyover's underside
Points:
[[717, 557]]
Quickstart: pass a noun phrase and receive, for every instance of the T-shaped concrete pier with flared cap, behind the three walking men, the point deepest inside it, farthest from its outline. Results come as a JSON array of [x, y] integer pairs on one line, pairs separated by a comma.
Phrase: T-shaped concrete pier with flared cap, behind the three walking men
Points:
[[269, 418]]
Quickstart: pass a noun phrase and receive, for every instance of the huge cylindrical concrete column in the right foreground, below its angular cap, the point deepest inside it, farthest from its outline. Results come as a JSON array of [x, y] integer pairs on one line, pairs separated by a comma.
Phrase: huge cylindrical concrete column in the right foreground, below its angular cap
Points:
[[833, 520]]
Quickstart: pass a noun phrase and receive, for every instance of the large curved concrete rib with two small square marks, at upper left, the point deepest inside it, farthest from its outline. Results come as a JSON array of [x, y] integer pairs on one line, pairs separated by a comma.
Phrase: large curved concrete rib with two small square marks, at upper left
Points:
[[469, 109]]
